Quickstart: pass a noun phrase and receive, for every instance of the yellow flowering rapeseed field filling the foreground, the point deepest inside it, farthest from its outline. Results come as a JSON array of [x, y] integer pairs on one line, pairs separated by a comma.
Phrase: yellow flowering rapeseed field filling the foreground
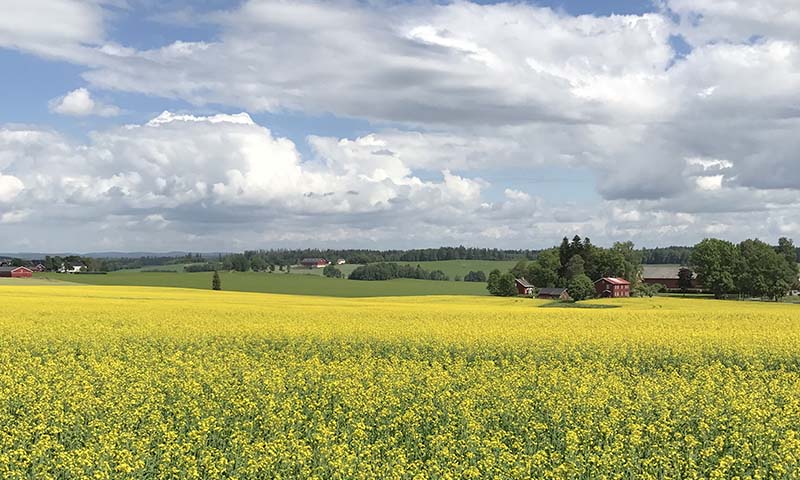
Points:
[[125, 382]]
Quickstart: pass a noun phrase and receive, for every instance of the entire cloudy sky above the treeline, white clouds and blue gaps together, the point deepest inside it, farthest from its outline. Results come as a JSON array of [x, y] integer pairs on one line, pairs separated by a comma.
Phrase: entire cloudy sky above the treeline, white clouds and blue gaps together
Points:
[[395, 124]]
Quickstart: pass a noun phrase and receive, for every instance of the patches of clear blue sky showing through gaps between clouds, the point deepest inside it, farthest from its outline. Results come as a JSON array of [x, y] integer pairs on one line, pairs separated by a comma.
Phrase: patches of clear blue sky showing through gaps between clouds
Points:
[[33, 81]]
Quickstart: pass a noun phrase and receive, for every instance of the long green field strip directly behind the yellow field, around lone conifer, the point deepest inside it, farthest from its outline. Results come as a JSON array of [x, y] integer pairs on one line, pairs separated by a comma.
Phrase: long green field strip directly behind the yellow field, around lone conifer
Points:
[[276, 283]]
